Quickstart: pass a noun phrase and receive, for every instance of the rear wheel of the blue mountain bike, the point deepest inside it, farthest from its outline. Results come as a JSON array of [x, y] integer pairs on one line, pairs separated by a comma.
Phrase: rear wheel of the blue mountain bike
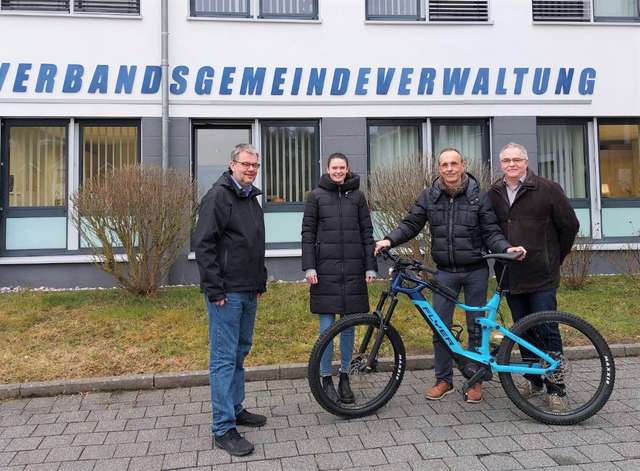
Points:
[[574, 391]]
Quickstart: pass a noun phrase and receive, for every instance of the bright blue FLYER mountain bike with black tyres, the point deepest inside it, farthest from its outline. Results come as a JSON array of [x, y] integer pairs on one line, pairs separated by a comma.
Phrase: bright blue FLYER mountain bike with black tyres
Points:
[[581, 370]]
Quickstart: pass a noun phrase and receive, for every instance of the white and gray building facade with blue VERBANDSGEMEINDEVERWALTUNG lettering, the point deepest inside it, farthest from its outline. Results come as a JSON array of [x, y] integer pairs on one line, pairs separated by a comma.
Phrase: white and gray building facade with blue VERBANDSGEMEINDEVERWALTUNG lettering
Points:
[[81, 92]]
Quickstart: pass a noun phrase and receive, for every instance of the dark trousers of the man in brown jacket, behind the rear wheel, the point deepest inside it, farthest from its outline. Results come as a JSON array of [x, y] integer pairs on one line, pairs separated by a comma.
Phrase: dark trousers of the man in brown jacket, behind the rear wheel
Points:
[[546, 337]]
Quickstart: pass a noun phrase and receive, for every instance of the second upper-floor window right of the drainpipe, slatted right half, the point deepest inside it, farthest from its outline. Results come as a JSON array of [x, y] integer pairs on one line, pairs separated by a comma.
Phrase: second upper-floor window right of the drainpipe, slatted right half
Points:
[[428, 10]]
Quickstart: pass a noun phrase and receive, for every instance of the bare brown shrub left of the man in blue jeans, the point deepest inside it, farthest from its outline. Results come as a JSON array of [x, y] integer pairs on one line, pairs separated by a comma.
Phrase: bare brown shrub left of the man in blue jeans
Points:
[[146, 213]]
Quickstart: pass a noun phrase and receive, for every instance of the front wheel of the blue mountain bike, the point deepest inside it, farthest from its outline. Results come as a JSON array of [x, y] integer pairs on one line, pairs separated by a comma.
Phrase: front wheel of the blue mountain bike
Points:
[[373, 373]]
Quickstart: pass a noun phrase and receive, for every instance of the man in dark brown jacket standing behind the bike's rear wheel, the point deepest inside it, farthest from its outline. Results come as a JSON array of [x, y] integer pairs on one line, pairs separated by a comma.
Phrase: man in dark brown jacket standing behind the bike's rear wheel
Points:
[[535, 213]]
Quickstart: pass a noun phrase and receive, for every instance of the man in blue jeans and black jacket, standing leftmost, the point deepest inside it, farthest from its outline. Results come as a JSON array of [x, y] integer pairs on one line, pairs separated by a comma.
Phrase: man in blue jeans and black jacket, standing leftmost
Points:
[[229, 240]]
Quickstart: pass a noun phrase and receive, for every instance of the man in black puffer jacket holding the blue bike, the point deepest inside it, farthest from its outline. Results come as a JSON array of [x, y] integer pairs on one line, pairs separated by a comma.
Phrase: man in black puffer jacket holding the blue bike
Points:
[[463, 225]]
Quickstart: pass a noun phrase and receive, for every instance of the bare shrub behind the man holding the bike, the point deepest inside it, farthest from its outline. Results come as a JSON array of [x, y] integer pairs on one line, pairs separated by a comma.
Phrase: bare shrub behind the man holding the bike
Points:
[[395, 186]]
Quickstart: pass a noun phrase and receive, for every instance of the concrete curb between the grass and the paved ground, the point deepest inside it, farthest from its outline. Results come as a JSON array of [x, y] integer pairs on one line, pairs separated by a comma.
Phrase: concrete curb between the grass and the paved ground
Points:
[[201, 378]]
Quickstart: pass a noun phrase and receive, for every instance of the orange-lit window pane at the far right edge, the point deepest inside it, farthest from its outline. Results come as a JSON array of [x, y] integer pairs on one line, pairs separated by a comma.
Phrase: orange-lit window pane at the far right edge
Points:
[[619, 159]]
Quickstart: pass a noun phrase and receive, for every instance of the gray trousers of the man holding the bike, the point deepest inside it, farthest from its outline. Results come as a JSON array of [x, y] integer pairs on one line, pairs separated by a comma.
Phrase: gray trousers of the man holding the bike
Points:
[[474, 284]]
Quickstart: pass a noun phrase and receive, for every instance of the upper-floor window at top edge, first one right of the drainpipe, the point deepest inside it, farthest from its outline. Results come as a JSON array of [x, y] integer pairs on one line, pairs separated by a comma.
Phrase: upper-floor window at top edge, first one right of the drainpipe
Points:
[[292, 9]]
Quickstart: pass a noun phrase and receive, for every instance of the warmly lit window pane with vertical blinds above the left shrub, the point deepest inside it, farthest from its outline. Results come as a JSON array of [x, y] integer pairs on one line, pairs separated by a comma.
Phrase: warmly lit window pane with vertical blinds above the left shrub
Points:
[[107, 146]]
